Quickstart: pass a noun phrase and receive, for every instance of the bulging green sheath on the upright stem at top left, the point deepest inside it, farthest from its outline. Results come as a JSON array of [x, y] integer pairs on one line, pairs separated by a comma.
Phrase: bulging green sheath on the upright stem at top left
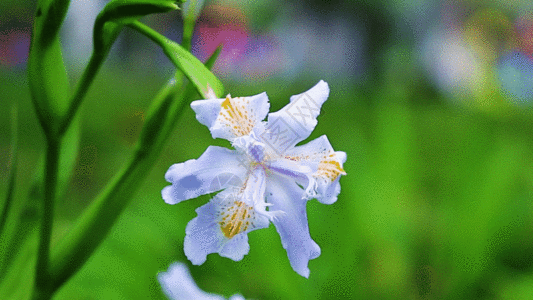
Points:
[[47, 75]]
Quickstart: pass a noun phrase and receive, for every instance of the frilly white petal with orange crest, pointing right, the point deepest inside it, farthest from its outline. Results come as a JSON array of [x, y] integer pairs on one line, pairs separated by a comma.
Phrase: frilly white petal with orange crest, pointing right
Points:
[[319, 156]]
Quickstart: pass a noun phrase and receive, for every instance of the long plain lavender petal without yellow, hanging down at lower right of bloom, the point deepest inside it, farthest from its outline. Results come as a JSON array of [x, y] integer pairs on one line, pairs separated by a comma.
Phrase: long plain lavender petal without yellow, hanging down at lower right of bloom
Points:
[[285, 195]]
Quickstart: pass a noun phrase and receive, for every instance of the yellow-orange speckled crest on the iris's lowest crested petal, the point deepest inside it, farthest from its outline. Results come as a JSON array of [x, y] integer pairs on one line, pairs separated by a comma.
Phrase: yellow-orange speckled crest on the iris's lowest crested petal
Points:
[[236, 218]]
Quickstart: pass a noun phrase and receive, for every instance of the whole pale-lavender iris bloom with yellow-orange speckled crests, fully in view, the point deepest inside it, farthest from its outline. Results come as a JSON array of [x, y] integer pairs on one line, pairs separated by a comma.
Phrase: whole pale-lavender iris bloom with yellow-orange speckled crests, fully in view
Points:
[[266, 169]]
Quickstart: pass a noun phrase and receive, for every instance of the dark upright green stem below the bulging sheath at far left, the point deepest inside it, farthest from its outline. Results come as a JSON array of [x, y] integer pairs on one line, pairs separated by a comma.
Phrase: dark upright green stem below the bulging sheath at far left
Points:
[[42, 279]]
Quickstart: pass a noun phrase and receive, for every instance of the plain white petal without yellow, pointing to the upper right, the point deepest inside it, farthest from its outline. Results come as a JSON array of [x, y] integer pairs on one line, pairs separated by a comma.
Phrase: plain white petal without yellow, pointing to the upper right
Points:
[[295, 122]]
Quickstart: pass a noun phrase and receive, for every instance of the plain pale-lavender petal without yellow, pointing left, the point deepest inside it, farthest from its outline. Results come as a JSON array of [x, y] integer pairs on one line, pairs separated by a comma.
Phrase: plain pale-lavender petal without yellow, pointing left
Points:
[[217, 169]]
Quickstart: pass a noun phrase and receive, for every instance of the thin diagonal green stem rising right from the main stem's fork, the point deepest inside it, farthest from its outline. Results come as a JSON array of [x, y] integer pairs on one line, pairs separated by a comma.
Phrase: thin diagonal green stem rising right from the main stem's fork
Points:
[[95, 62]]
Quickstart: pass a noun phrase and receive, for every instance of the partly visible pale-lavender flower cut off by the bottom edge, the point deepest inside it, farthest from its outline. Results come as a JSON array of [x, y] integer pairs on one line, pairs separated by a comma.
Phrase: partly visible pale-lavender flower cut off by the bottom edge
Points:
[[178, 284]]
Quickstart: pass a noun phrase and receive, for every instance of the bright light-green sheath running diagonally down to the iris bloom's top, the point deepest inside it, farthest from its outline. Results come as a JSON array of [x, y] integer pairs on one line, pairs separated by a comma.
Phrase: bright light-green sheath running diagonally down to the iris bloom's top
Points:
[[193, 68]]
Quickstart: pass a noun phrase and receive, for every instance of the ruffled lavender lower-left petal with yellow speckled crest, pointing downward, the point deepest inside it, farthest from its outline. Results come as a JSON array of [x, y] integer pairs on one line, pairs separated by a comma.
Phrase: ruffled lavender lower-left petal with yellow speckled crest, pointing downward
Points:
[[221, 227]]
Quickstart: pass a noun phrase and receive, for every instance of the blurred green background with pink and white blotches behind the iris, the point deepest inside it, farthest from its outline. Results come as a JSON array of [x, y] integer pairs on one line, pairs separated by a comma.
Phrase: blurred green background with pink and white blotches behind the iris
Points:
[[430, 100]]
